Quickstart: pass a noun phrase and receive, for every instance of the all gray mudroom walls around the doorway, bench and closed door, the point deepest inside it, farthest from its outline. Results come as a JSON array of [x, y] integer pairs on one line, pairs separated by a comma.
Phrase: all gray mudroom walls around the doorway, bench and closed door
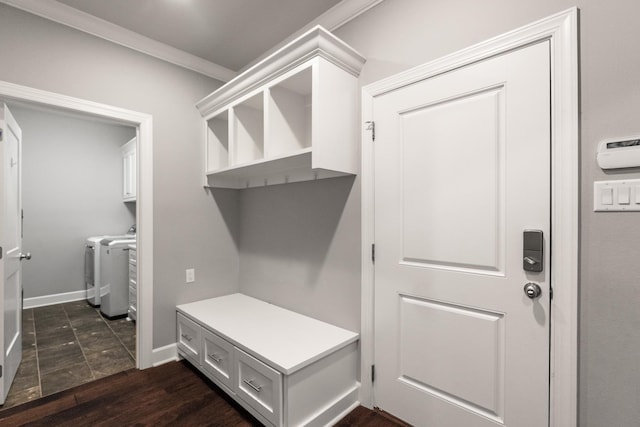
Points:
[[191, 230]]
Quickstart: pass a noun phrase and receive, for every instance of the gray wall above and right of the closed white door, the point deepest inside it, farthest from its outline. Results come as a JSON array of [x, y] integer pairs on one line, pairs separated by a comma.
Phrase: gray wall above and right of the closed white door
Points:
[[399, 34]]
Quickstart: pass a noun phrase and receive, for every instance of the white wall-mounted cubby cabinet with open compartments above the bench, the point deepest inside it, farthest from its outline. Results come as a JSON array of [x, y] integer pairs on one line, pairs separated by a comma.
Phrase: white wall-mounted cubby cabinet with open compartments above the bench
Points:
[[291, 117]]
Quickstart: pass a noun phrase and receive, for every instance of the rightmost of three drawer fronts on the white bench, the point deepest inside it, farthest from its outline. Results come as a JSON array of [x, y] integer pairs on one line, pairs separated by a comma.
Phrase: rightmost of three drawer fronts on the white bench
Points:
[[259, 386]]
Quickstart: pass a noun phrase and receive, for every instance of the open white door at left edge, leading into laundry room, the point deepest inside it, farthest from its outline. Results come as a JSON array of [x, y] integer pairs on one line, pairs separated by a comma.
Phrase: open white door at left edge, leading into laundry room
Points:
[[11, 243]]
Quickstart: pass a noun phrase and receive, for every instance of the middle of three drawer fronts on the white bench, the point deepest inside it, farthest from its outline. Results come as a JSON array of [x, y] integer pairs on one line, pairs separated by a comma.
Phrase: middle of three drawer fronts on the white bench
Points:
[[218, 358]]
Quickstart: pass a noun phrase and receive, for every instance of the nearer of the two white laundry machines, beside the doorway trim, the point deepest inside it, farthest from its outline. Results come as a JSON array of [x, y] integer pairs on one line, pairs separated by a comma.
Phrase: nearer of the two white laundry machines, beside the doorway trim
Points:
[[114, 276]]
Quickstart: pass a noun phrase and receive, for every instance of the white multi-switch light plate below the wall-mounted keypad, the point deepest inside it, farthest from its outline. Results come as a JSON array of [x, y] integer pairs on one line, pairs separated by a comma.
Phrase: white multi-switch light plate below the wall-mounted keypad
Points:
[[616, 196]]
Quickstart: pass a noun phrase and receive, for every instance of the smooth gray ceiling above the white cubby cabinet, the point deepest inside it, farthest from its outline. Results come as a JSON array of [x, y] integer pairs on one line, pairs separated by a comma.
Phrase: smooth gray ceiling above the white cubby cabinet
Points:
[[230, 33]]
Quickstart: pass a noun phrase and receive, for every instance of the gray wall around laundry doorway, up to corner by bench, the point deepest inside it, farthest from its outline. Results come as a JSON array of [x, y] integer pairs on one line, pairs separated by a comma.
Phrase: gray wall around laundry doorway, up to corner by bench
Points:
[[190, 230]]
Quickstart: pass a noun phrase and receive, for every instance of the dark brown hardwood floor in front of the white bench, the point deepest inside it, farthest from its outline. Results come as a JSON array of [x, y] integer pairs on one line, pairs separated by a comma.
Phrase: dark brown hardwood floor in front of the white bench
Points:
[[172, 394]]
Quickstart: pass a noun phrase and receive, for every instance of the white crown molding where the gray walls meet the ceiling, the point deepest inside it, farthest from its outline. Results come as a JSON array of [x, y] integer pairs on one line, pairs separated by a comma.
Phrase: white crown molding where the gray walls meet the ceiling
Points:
[[58, 12]]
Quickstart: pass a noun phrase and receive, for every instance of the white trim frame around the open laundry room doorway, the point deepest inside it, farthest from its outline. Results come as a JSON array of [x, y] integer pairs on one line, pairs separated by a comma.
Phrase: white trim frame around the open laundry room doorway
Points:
[[144, 203]]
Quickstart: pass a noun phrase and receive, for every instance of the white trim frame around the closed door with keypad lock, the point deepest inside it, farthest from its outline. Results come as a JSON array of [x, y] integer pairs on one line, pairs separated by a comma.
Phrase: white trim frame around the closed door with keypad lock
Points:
[[561, 30]]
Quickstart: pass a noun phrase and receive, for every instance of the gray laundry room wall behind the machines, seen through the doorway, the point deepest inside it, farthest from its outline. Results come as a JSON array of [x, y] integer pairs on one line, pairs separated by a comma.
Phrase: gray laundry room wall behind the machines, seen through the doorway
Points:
[[71, 189]]
